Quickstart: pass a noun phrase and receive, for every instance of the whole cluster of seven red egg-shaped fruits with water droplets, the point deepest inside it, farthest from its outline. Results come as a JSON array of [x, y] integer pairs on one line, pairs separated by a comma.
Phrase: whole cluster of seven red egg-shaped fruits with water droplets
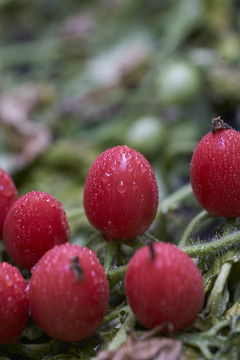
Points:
[[68, 291]]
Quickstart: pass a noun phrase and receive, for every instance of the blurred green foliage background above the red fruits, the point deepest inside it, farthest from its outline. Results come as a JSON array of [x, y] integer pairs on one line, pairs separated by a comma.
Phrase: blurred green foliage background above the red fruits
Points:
[[77, 77]]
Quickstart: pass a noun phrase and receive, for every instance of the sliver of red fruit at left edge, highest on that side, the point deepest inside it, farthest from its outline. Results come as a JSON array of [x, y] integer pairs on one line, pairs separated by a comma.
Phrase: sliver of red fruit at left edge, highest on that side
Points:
[[8, 195]]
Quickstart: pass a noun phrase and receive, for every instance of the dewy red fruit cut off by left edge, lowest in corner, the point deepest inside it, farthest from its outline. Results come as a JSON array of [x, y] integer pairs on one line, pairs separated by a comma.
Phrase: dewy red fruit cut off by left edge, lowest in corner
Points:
[[14, 304]]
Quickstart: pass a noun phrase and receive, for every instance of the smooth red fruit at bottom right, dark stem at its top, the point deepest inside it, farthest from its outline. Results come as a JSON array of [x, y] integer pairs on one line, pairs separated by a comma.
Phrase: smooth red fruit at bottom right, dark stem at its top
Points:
[[165, 288]]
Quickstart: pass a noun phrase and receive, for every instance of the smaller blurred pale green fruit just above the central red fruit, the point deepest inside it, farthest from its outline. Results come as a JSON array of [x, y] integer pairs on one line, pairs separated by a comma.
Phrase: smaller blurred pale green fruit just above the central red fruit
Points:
[[146, 134]]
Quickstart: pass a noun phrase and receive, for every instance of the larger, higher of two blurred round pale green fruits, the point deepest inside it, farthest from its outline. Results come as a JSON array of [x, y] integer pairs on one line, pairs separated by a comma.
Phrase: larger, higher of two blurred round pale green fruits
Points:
[[177, 83]]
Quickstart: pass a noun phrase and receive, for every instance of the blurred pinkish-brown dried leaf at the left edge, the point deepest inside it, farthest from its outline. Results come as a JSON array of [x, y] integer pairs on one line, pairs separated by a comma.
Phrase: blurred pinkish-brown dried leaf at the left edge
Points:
[[26, 138]]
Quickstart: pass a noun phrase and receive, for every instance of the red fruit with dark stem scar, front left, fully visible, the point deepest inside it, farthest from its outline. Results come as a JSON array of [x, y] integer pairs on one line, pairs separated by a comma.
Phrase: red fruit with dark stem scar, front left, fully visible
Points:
[[65, 306]]
